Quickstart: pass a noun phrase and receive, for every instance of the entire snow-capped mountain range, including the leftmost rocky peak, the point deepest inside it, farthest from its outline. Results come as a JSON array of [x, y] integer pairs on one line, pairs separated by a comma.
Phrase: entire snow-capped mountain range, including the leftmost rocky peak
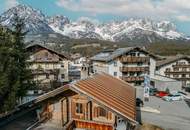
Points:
[[137, 30]]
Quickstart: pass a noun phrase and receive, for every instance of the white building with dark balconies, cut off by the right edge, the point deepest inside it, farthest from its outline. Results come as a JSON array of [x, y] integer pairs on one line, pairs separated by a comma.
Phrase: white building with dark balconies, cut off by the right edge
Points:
[[176, 67]]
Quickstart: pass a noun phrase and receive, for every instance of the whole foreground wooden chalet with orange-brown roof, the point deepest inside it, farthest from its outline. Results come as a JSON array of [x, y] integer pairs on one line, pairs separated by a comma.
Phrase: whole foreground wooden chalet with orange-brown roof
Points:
[[87, 105]]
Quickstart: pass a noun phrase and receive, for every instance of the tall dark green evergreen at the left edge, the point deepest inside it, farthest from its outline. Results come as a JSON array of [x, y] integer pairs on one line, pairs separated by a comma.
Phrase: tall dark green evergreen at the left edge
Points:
[[15, 78]]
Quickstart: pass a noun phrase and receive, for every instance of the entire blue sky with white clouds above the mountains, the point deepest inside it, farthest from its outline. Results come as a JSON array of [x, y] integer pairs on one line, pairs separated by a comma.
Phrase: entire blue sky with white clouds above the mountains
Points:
[[177, 11]]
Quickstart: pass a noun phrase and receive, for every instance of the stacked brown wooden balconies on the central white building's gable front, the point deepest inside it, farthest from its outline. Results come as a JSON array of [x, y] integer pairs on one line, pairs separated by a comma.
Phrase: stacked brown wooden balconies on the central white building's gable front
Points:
[[134, 67]]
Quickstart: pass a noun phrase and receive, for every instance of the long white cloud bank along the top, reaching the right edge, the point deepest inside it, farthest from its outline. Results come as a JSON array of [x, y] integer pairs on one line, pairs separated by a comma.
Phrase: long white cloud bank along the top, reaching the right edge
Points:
[[157, 9]]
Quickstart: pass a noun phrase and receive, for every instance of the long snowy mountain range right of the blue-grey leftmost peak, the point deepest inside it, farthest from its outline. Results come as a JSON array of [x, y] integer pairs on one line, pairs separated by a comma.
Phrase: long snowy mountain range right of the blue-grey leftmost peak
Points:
[[121, 31]]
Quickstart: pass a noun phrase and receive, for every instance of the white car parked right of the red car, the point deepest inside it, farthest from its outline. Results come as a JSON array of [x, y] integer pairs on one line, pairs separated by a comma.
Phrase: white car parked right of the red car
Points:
[[173, 97]]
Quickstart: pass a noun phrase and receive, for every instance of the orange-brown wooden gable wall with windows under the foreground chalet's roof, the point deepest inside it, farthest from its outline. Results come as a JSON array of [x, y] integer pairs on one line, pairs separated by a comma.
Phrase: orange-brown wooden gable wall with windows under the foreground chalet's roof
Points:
[[89, 115]]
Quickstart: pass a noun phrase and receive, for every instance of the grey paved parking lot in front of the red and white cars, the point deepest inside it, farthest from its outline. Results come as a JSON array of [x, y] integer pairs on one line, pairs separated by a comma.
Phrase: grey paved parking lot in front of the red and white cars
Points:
[[172, 116]]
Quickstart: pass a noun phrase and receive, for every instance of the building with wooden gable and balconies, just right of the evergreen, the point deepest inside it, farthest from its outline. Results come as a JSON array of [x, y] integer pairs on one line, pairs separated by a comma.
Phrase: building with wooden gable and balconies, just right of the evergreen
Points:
[[49, 68]]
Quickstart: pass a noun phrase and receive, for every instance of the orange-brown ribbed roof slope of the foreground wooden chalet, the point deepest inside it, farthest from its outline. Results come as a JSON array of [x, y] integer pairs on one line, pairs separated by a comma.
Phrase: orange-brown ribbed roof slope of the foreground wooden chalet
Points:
[[113, 93]]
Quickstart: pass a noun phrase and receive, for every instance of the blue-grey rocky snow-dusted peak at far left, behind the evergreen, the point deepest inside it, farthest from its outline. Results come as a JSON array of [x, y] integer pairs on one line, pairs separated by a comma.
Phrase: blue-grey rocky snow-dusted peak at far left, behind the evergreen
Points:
[[35, 21]]
